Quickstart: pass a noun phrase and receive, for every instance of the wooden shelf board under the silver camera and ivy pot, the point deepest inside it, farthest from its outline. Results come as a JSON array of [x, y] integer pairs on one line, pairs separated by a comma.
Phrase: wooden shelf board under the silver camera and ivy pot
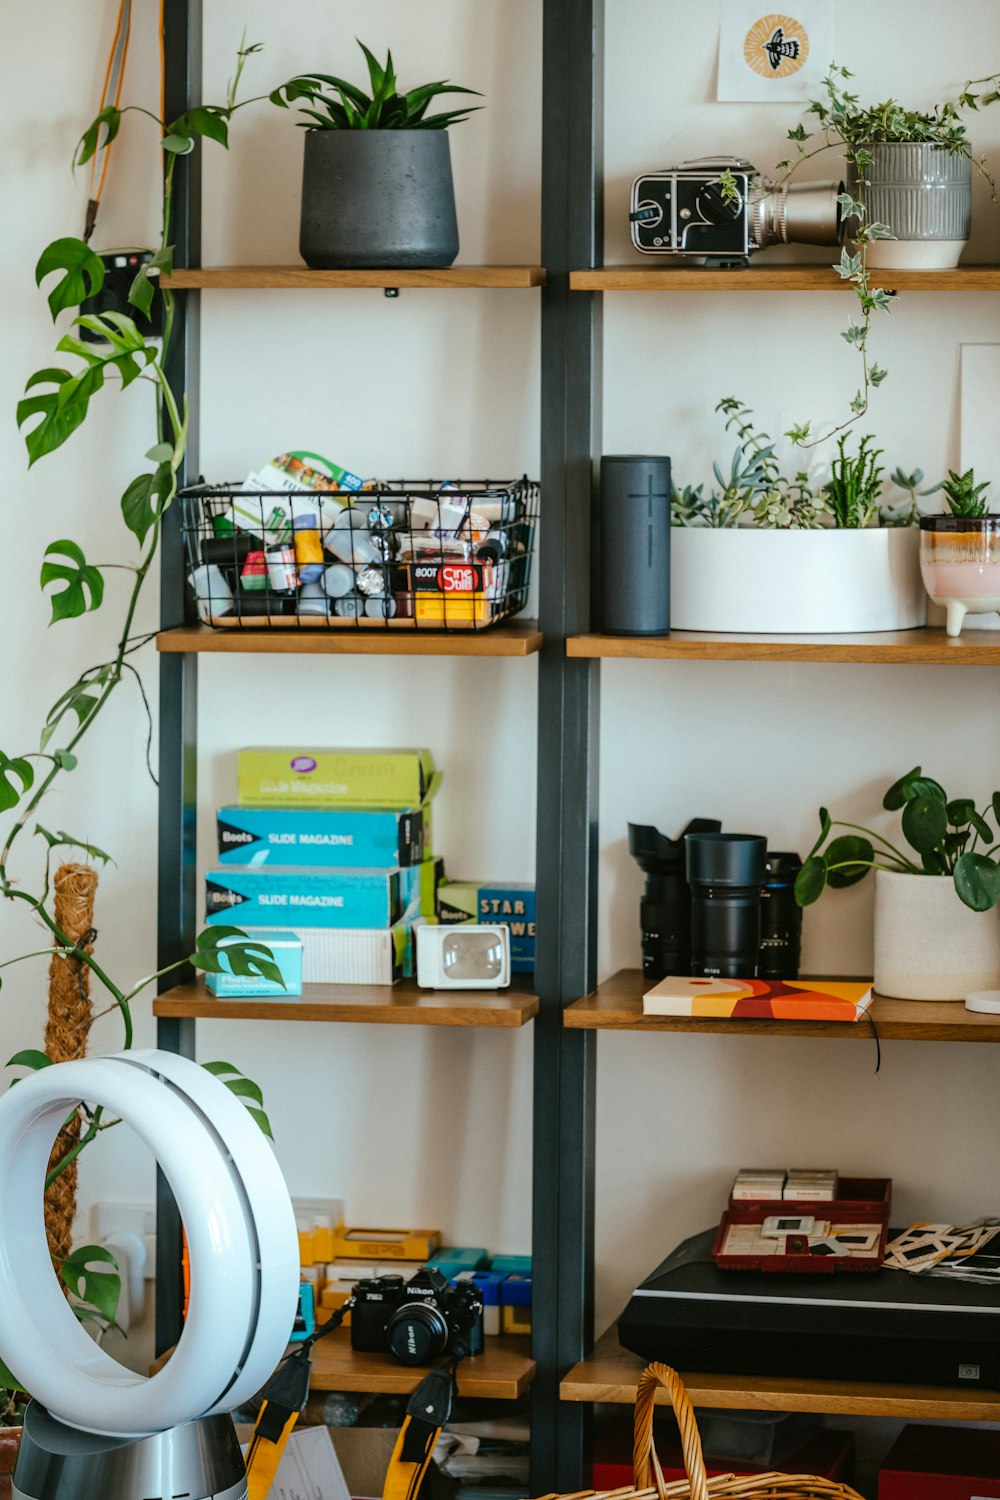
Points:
[[776, 278]]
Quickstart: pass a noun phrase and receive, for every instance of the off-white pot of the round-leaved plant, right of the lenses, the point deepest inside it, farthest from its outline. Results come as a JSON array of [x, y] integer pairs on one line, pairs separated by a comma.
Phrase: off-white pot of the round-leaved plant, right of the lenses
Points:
[[929, 944]]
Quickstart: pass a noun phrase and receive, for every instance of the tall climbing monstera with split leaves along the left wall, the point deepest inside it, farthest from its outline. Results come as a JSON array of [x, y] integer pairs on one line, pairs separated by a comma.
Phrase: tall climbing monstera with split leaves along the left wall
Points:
[[56, 404]]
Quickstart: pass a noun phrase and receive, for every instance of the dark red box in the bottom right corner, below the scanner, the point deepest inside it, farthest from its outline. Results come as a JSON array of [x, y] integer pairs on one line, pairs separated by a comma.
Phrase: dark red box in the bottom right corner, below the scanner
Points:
[[942, 1463]]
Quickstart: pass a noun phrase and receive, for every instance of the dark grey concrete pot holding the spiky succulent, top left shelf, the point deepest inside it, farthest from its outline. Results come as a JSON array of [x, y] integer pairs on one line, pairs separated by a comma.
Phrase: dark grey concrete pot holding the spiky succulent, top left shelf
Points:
[[379, 199]]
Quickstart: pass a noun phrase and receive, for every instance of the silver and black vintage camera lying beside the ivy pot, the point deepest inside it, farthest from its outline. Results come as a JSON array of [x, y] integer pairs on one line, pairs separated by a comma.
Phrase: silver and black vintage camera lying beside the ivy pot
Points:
[[686, 211]]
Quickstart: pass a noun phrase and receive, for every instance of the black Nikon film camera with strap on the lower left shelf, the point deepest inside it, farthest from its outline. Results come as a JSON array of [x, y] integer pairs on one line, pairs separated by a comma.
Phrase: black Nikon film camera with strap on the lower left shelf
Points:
[[416, 1321]]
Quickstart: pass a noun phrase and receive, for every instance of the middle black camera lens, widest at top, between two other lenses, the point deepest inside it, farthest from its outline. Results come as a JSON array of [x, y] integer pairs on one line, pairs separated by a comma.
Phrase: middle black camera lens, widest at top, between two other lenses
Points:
[[725, 874]]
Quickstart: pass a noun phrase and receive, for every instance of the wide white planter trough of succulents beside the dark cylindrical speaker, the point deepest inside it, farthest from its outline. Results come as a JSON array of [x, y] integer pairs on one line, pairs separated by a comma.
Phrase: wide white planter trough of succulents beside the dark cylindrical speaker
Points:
[[795, 583]]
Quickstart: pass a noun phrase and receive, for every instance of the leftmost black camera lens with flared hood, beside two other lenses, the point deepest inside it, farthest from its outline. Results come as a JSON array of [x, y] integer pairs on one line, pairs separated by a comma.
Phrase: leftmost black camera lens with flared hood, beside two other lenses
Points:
[[665, 910]]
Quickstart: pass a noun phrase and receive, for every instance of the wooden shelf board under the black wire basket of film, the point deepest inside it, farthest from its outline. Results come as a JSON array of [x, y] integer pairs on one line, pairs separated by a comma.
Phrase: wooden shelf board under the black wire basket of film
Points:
[[521, 638]]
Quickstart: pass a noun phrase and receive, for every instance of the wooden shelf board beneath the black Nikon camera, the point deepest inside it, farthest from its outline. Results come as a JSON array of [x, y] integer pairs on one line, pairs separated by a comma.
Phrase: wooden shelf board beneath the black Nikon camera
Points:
[[501, 1373]]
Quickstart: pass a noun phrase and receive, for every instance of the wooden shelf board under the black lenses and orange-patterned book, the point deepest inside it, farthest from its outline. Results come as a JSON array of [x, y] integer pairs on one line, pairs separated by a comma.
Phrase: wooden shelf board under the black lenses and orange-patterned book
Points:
[[617, 1006]]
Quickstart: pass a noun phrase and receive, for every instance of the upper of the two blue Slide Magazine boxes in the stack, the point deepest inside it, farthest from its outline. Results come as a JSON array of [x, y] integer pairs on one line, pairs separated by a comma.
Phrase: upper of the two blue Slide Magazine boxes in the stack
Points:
[[347, 839]]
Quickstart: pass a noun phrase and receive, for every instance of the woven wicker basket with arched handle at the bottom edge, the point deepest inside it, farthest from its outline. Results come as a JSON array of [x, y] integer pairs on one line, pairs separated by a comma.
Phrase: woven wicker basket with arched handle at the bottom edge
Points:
[[651, 1484]]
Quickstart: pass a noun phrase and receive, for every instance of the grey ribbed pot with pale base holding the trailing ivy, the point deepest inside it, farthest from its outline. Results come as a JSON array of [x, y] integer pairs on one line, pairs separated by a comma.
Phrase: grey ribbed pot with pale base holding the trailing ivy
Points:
[[924, 194]]
